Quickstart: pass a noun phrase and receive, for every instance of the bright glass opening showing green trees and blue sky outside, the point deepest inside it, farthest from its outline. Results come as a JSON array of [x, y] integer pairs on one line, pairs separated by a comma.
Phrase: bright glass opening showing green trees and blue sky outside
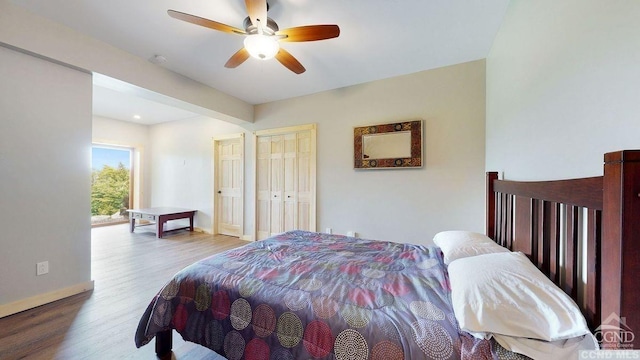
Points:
[[111, 184]]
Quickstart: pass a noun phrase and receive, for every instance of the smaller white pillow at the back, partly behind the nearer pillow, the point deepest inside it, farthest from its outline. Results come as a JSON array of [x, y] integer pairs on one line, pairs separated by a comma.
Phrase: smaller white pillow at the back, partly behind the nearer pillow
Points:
[[457, 244]]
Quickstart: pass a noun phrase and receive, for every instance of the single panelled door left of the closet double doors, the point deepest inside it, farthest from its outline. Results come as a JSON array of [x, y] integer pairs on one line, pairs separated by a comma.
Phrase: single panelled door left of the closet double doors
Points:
[[229, 180]]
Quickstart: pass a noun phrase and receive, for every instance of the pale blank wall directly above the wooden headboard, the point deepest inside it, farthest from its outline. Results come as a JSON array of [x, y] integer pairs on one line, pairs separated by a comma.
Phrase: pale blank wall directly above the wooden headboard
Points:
[[563, 87]]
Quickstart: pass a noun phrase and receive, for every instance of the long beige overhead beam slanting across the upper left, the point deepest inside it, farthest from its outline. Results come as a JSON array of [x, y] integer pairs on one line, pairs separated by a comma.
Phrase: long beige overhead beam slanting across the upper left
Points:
[[24, 30]]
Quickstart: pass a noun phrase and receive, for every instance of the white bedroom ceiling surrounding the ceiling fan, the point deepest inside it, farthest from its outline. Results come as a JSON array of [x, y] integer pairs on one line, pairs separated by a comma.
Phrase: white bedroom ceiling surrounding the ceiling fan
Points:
[[379, 39]]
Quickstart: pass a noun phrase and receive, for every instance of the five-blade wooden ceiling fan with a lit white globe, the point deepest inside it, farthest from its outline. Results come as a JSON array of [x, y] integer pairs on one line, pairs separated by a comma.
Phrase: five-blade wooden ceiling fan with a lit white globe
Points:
[[262, 35]]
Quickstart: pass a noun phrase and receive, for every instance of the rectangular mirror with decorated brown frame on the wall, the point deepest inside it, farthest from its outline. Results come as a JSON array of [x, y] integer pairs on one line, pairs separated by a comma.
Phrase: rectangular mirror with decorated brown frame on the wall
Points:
[[394, 145]]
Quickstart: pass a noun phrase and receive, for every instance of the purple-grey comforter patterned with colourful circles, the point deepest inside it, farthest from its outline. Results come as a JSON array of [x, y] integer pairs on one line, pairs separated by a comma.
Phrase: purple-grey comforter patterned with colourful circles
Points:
[[302, 295]]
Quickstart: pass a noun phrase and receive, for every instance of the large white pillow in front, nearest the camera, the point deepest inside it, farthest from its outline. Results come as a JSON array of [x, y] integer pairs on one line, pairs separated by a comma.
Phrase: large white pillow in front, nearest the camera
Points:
[[504, 293]]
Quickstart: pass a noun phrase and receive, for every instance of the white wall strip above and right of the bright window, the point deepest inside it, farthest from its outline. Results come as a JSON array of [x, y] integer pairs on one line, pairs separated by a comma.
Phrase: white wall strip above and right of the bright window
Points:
[[122, 133]]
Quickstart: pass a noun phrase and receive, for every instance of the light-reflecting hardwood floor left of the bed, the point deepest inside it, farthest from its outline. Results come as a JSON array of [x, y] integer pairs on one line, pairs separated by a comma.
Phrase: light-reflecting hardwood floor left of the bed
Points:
[[128, 269]]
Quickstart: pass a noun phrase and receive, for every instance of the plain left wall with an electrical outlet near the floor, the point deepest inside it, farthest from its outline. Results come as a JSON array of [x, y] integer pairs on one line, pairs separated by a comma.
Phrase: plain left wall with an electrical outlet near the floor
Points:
[[45, 141]]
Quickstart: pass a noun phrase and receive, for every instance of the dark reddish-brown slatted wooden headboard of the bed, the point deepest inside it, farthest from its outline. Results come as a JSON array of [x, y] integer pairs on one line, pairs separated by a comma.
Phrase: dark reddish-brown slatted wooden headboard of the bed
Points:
[[576, 230]]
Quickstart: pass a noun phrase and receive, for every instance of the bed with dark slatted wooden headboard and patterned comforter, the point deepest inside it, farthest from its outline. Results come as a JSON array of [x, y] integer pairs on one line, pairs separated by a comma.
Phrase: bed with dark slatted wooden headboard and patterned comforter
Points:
[[302, 295]]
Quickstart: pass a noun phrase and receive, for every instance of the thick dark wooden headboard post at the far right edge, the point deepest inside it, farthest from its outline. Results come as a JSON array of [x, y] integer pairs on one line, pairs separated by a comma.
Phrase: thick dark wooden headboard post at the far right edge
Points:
[[620, 312]]
